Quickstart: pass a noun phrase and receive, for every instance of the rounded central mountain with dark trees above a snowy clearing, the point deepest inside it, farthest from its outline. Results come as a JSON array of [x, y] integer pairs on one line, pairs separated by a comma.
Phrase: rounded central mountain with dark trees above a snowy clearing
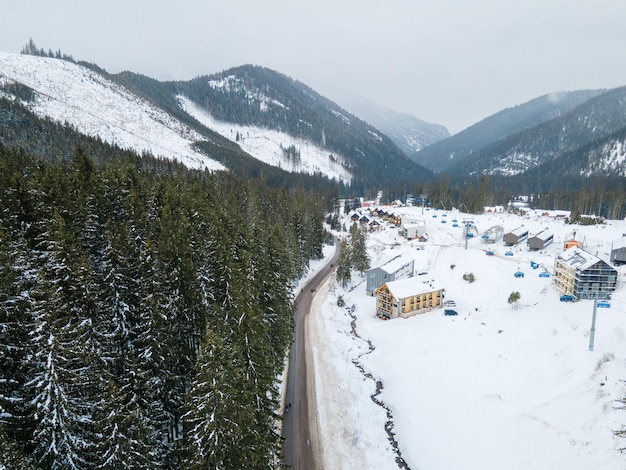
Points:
[[254, 98]]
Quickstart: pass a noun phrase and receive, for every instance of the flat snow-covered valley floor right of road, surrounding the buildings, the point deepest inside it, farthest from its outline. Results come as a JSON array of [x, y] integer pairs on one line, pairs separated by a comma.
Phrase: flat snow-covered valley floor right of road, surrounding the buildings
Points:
[[495, 387]]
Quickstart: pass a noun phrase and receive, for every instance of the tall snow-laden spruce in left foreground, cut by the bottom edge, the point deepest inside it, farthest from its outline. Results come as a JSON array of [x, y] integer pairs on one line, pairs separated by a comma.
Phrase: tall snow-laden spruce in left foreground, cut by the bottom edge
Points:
[[64, 372]]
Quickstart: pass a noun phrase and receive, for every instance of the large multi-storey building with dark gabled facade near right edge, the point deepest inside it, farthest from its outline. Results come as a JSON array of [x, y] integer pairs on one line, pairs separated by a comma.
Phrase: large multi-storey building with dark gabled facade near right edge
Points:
[[583, 275]]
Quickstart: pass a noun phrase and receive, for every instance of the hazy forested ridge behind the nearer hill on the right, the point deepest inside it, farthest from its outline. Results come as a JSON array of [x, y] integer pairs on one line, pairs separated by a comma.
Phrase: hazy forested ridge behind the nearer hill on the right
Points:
[[452, 152]]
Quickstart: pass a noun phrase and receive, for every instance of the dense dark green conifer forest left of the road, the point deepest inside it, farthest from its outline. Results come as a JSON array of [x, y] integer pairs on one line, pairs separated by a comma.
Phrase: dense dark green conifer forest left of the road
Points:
[[145, 312]]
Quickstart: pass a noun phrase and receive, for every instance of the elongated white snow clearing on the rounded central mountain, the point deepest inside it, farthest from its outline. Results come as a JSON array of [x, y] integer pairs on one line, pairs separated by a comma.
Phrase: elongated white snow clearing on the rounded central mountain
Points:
[[265, 145]]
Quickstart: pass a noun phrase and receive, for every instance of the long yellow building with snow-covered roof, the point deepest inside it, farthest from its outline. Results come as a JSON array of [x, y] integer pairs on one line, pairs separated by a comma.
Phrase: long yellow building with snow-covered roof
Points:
[[407, 297]]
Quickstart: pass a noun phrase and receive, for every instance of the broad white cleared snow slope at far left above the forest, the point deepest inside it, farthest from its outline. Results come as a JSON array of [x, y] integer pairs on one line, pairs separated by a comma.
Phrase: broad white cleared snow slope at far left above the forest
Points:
[[70, 93]]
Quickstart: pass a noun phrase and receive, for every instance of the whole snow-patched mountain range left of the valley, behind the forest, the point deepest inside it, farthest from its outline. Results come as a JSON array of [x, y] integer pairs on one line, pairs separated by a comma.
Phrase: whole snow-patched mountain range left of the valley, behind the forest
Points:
[[254, 112]]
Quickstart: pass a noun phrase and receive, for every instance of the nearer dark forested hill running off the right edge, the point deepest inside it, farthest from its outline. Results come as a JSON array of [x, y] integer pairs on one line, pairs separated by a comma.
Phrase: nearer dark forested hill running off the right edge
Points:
[[586, 141]]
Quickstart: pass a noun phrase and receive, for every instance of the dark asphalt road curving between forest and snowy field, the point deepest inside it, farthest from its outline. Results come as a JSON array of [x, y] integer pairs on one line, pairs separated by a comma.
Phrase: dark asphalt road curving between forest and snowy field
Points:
[[301, 446]]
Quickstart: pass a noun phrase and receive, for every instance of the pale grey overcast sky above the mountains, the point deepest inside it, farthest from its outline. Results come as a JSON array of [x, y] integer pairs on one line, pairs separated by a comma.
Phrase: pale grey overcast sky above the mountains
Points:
[[451, 62]]
